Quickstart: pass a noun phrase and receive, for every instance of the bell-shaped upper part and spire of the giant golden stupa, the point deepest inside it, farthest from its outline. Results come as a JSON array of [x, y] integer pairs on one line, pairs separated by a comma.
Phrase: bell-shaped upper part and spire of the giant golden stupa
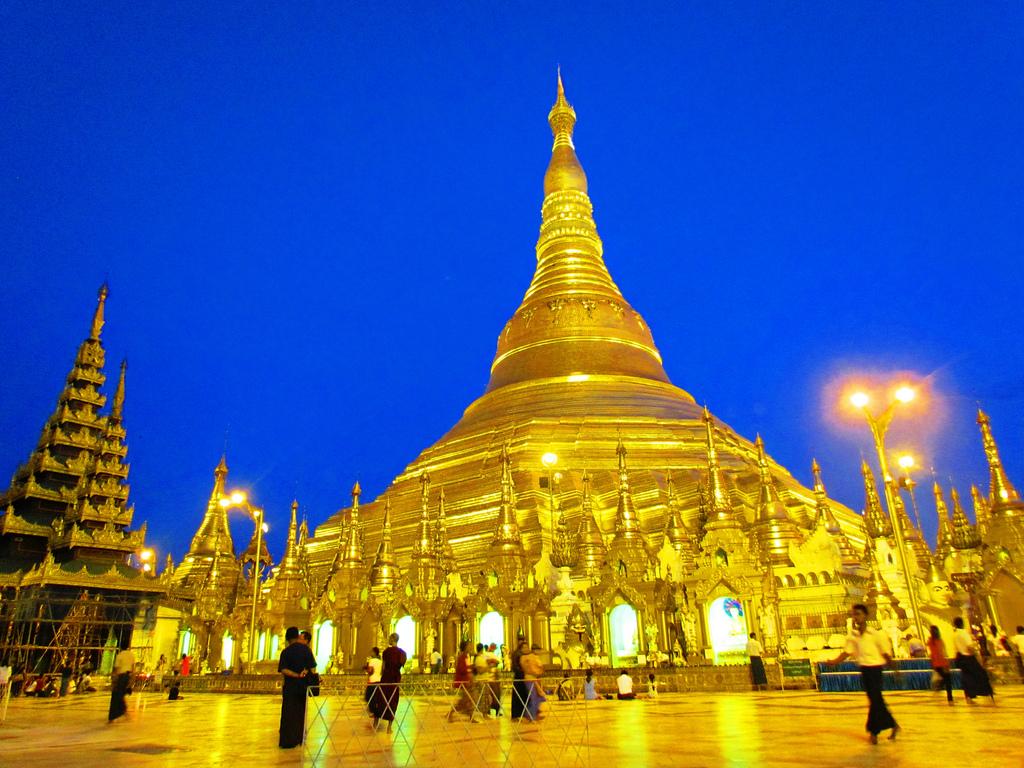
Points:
[[574, 321]]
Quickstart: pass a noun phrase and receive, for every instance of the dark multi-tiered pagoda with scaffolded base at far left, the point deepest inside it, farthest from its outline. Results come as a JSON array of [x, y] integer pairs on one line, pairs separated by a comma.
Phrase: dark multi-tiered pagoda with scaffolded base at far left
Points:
[[71, 570]]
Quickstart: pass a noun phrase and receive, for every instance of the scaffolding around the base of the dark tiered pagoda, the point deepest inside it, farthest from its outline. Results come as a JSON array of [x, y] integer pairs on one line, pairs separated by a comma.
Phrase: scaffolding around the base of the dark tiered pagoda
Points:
[[50, 627]]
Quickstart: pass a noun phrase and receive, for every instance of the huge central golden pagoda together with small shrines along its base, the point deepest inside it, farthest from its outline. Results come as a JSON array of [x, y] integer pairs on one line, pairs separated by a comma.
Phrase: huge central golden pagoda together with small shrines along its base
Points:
[[578, 380]]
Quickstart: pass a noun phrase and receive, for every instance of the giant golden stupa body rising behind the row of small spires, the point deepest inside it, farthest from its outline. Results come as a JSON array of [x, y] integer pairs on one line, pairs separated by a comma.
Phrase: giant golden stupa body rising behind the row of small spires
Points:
[[576, 374]]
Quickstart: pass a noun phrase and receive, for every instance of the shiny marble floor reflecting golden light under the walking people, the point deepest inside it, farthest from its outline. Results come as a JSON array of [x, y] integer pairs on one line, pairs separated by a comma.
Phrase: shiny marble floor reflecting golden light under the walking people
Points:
[[728, 730]]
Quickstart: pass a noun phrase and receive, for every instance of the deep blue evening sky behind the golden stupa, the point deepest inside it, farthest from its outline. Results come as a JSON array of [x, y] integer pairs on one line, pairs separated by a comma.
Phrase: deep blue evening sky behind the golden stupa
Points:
[[316, 222]]
